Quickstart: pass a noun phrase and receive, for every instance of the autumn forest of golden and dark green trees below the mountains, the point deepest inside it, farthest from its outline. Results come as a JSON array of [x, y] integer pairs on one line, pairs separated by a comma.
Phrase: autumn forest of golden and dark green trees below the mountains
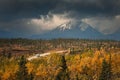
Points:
[[82, 59]]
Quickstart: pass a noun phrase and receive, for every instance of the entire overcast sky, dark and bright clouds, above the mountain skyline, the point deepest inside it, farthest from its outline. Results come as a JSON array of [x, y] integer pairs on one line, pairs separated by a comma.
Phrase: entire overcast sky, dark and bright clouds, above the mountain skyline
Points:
[[29, 17]]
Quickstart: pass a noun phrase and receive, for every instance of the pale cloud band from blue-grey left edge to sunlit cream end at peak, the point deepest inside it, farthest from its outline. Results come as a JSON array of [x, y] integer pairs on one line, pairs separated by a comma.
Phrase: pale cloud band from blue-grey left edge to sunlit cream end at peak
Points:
[[35, 25]]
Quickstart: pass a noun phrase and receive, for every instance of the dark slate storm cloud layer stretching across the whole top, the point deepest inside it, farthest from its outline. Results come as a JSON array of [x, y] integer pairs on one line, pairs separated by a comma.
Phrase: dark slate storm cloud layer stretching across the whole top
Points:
[[15, 9]]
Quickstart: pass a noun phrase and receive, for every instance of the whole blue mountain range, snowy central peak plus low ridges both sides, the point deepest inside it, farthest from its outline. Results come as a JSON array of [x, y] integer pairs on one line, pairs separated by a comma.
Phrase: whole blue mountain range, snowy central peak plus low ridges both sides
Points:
[[71, 29]]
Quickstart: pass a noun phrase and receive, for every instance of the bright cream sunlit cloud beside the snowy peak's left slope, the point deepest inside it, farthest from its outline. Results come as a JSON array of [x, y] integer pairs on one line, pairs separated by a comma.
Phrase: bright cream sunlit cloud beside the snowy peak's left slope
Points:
[[50, 21]]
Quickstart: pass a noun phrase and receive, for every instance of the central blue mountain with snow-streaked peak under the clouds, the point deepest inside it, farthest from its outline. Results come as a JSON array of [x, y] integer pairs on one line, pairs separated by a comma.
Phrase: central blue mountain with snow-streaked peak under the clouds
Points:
[[72, 30]]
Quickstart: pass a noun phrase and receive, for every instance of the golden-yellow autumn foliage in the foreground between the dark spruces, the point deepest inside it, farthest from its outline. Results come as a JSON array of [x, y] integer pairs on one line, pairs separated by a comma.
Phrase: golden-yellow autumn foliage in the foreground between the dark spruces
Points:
[[82, 66]]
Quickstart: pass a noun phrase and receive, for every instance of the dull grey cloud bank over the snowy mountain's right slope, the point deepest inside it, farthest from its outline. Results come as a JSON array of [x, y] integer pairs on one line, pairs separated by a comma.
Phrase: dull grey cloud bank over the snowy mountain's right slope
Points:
[[103, 24]]
